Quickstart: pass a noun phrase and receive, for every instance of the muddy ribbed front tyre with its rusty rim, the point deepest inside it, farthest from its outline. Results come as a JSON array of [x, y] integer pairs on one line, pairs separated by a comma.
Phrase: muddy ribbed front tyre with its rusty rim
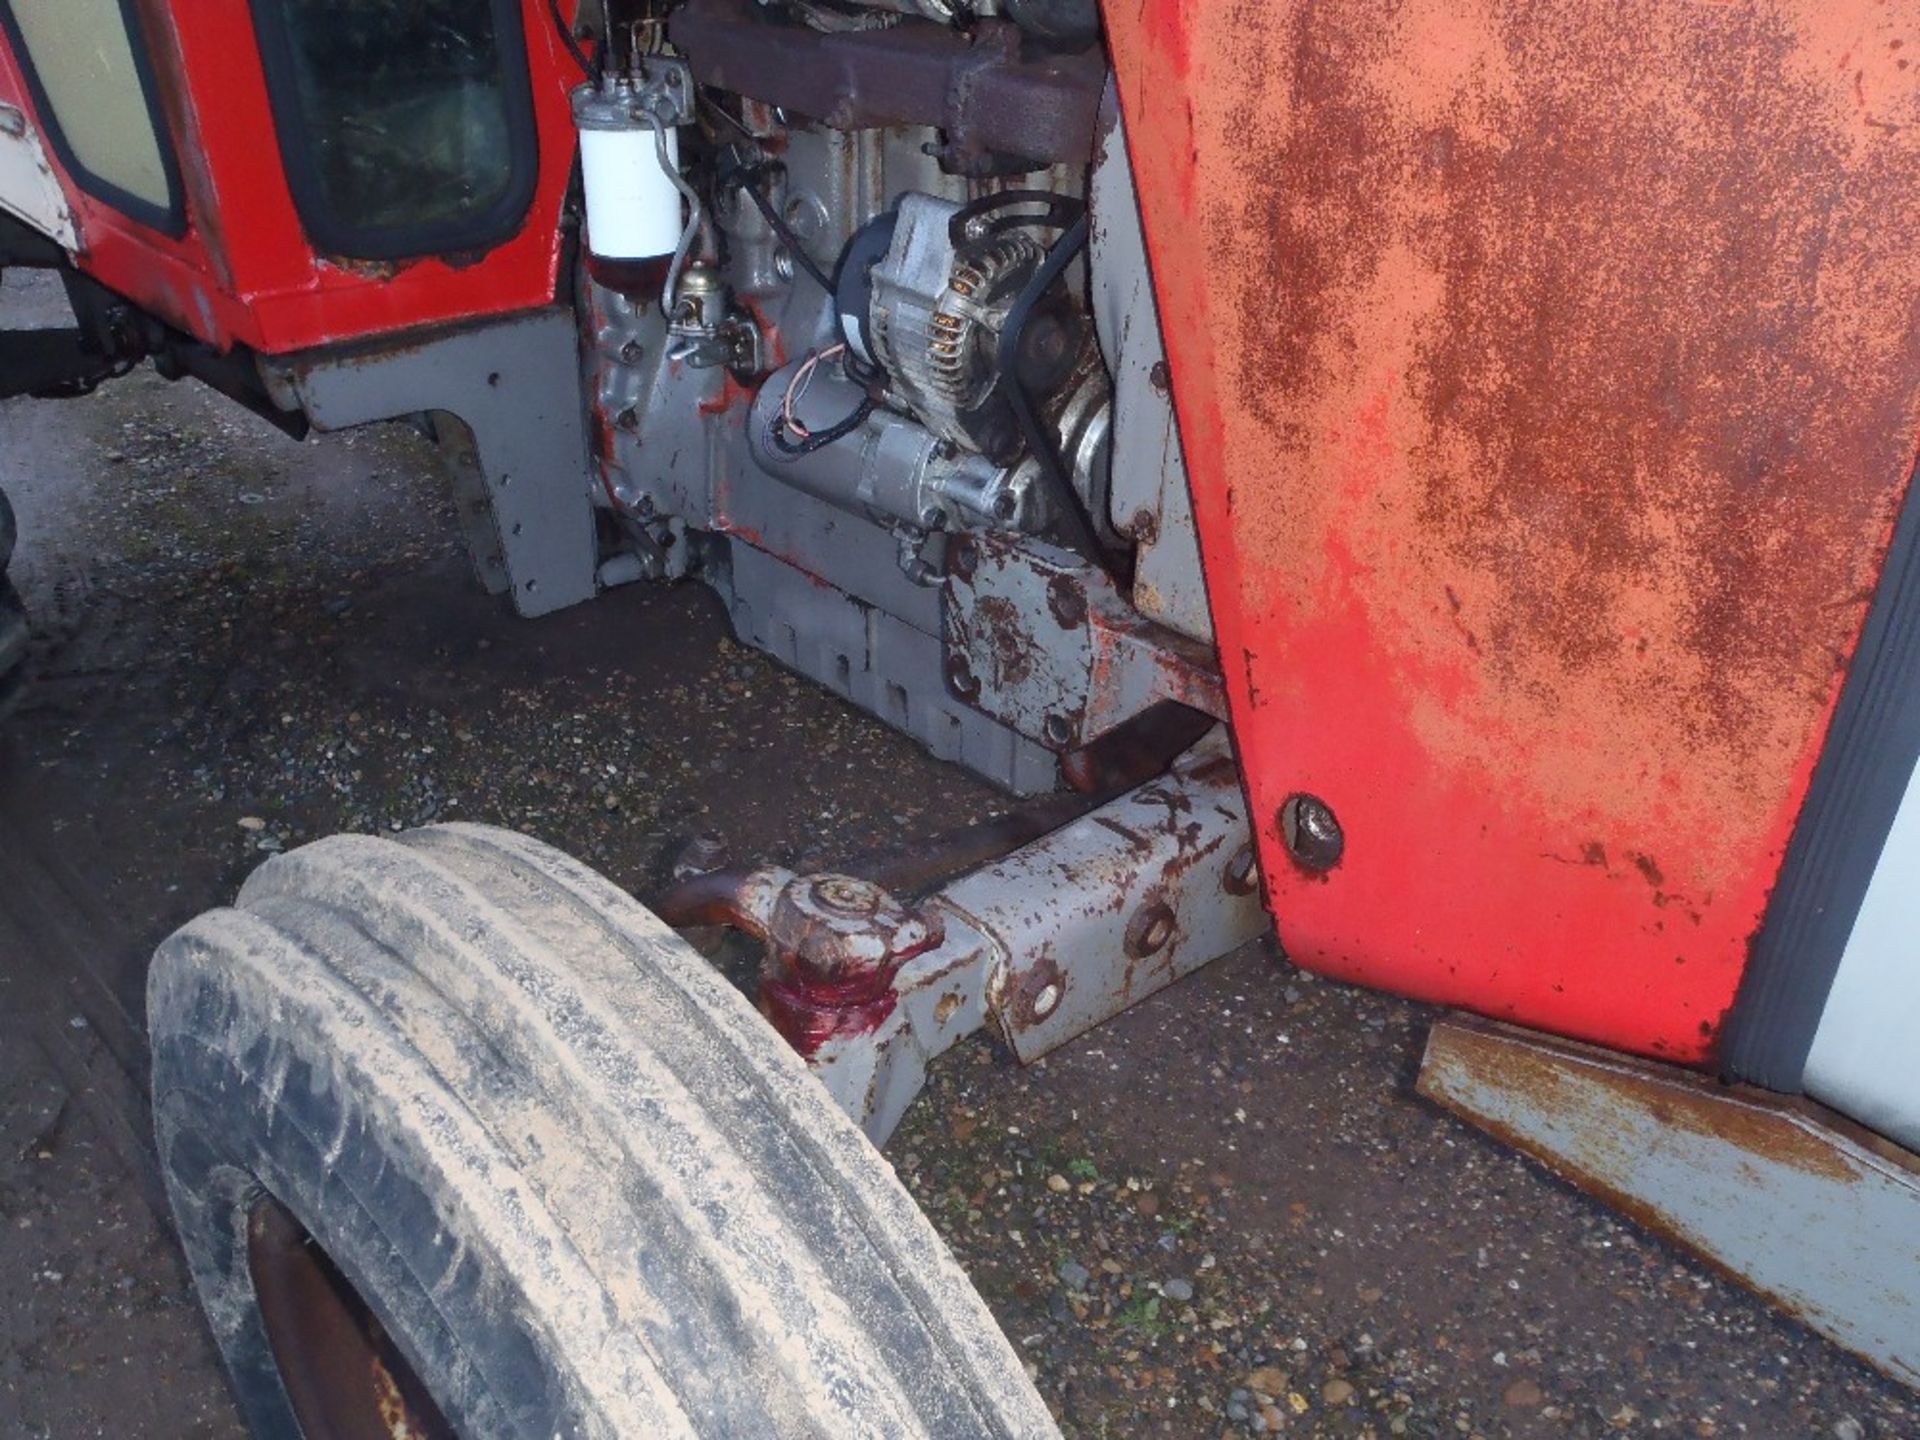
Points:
[[456, 1128]]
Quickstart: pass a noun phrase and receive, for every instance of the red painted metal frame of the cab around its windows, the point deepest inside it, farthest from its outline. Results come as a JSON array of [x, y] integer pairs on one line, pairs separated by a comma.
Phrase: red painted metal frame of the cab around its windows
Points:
[[245, 272]]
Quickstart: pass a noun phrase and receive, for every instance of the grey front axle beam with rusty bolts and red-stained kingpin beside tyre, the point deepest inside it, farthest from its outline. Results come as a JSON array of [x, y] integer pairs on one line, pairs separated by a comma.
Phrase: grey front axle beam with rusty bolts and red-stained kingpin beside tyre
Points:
[[1047, 942]]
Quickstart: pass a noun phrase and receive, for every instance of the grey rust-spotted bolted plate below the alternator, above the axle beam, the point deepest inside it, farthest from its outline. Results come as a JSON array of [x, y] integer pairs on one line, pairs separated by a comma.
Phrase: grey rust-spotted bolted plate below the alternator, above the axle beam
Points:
[[1049, 646]]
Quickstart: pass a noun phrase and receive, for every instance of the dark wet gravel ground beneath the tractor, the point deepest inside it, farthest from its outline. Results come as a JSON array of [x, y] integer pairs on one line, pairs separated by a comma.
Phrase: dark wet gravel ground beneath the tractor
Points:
[[1224, 1214]]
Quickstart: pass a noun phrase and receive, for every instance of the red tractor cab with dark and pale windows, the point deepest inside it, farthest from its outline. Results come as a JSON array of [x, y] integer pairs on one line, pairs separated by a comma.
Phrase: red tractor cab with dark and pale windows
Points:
[[264, 180]]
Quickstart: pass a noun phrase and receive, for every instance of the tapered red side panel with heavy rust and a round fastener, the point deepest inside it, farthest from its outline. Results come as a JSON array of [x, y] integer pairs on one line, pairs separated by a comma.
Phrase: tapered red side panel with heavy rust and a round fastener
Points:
[[1548, 387]]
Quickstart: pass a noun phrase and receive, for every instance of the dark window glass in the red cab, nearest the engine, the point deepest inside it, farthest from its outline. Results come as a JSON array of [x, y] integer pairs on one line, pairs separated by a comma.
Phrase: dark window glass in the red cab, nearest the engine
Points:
[[404, 108]]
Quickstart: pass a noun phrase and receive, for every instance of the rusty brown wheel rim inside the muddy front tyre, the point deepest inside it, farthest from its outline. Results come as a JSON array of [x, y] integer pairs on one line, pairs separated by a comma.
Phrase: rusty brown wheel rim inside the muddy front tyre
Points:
[[343, 1372]]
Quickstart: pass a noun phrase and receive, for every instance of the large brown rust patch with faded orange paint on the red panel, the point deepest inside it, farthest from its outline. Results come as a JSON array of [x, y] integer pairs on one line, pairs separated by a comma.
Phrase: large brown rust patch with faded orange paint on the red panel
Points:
[[1593, 345]]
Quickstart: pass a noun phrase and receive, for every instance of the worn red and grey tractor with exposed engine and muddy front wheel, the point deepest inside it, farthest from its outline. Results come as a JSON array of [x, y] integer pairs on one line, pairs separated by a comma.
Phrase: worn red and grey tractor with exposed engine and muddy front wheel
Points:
[[1428, 477]]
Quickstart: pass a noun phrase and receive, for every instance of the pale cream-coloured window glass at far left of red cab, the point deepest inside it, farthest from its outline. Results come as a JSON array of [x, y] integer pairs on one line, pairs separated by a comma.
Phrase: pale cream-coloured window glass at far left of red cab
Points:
[[85, 64]]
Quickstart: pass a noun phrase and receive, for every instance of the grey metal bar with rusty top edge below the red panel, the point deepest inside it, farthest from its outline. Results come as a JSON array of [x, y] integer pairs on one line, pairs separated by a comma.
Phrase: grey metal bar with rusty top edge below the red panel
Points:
[[1812, 1212]]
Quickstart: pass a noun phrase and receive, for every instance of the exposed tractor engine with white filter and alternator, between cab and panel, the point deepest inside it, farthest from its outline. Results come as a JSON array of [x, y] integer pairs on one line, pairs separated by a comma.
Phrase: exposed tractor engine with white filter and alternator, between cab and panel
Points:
[[869, 312]]
